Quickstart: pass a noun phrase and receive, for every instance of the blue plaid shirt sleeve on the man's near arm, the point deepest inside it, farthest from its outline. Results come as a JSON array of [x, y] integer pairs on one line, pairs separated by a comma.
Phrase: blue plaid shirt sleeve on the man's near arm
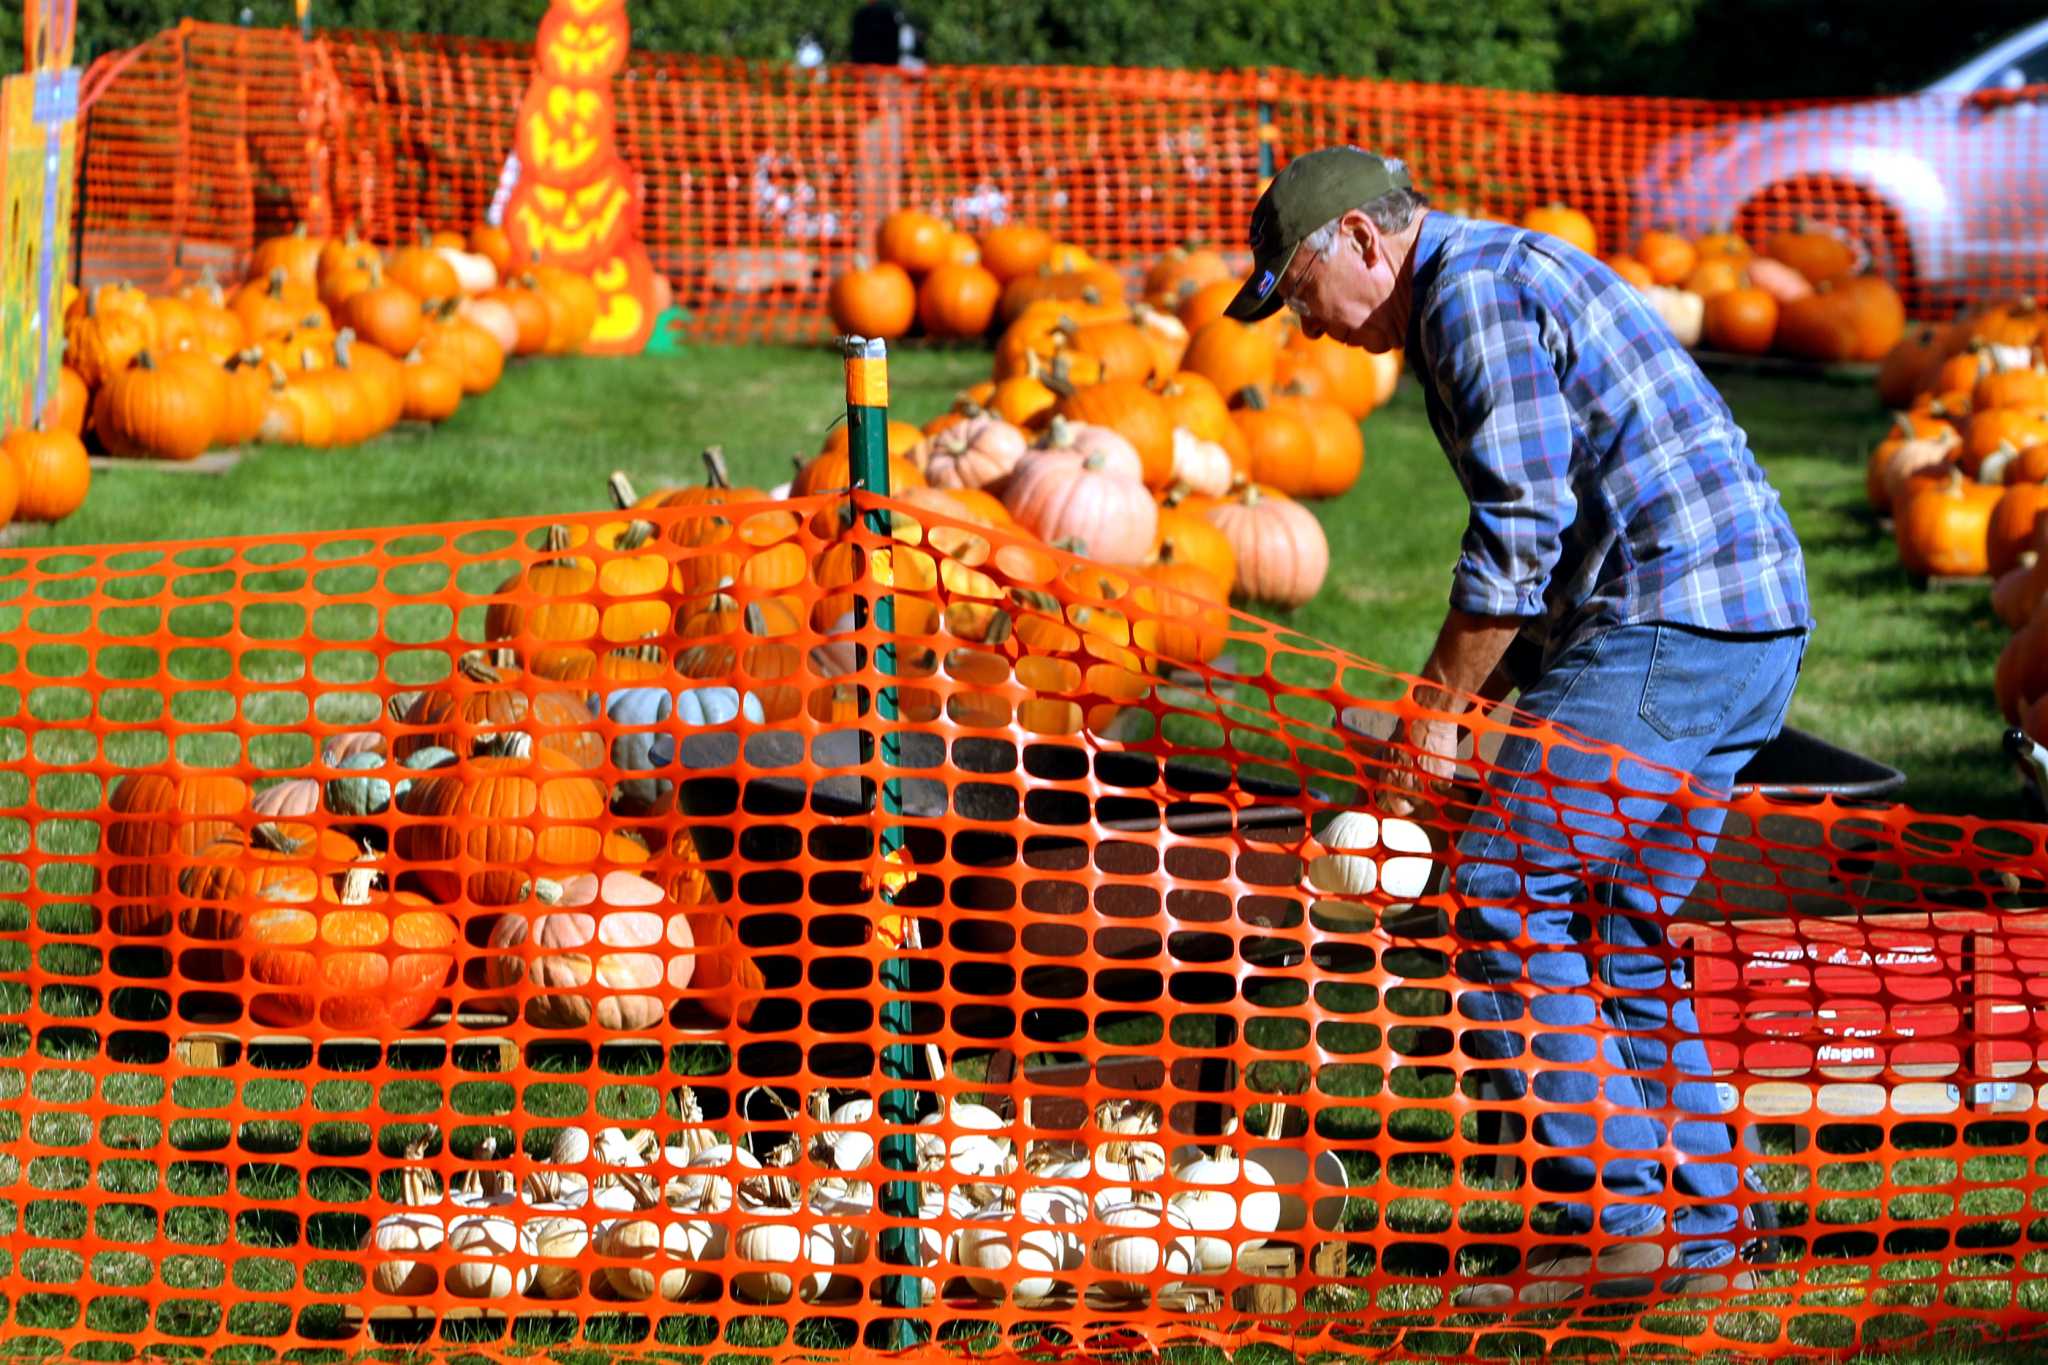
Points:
[[1510, 435]]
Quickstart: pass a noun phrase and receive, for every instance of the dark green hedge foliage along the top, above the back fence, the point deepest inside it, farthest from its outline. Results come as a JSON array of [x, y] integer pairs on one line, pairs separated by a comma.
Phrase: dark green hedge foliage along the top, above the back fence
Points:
[[1693, 48]]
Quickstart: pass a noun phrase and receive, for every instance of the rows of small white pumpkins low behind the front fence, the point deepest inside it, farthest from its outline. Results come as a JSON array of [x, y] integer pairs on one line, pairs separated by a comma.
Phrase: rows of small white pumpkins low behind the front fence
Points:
[[775, 1213]]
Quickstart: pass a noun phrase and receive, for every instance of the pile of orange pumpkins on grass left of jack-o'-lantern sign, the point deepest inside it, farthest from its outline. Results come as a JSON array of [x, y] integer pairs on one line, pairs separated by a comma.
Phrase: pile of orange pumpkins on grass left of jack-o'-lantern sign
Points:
[[329, 343]]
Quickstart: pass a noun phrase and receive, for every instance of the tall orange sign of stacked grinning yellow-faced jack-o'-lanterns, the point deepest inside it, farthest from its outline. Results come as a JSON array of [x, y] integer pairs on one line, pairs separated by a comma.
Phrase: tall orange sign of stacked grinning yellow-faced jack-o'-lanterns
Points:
[[577, 202]]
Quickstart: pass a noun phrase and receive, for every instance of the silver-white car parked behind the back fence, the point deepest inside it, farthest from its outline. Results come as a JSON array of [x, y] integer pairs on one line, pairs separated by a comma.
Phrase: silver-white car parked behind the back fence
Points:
[[1945, 191]]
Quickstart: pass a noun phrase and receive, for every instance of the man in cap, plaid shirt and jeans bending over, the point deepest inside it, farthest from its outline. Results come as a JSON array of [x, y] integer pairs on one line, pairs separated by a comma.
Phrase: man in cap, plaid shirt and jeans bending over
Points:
[[1621, 531]]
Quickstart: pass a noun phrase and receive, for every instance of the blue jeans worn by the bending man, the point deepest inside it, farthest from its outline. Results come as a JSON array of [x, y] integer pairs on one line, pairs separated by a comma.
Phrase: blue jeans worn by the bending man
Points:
[[1545, 871]]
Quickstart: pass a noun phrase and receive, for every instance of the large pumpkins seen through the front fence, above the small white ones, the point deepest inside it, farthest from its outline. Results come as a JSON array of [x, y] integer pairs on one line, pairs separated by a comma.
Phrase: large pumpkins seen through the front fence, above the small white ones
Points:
[[513, 832]]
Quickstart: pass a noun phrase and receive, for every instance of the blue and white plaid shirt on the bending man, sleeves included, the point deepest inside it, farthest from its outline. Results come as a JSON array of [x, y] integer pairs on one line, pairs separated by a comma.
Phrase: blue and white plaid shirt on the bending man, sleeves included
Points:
[[1609, 480]]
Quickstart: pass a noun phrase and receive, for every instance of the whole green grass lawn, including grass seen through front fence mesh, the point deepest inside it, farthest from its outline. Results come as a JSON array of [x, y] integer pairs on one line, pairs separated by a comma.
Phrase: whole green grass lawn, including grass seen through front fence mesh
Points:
[[1900, 674]]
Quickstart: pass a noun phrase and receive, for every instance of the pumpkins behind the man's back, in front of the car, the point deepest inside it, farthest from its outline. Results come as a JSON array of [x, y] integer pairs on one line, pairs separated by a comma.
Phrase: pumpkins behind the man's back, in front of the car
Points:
[[1803, 296]]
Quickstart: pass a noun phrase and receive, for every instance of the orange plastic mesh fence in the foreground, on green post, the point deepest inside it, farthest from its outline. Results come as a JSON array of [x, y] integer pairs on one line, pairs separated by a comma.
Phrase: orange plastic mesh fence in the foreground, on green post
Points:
[[482, 938]]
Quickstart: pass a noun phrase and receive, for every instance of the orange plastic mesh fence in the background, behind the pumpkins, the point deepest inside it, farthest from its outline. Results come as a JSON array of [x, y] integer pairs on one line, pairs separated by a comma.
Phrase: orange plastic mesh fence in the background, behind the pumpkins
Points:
[[761, 183]]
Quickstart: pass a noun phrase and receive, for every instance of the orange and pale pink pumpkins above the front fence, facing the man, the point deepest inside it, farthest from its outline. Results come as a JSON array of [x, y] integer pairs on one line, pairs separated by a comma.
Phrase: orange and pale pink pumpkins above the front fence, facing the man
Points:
[[1148, 431]]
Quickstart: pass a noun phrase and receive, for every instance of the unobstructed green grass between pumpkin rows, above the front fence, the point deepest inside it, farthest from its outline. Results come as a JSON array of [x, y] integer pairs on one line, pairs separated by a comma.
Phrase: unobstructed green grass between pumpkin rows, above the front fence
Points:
[[1895, 672]]
